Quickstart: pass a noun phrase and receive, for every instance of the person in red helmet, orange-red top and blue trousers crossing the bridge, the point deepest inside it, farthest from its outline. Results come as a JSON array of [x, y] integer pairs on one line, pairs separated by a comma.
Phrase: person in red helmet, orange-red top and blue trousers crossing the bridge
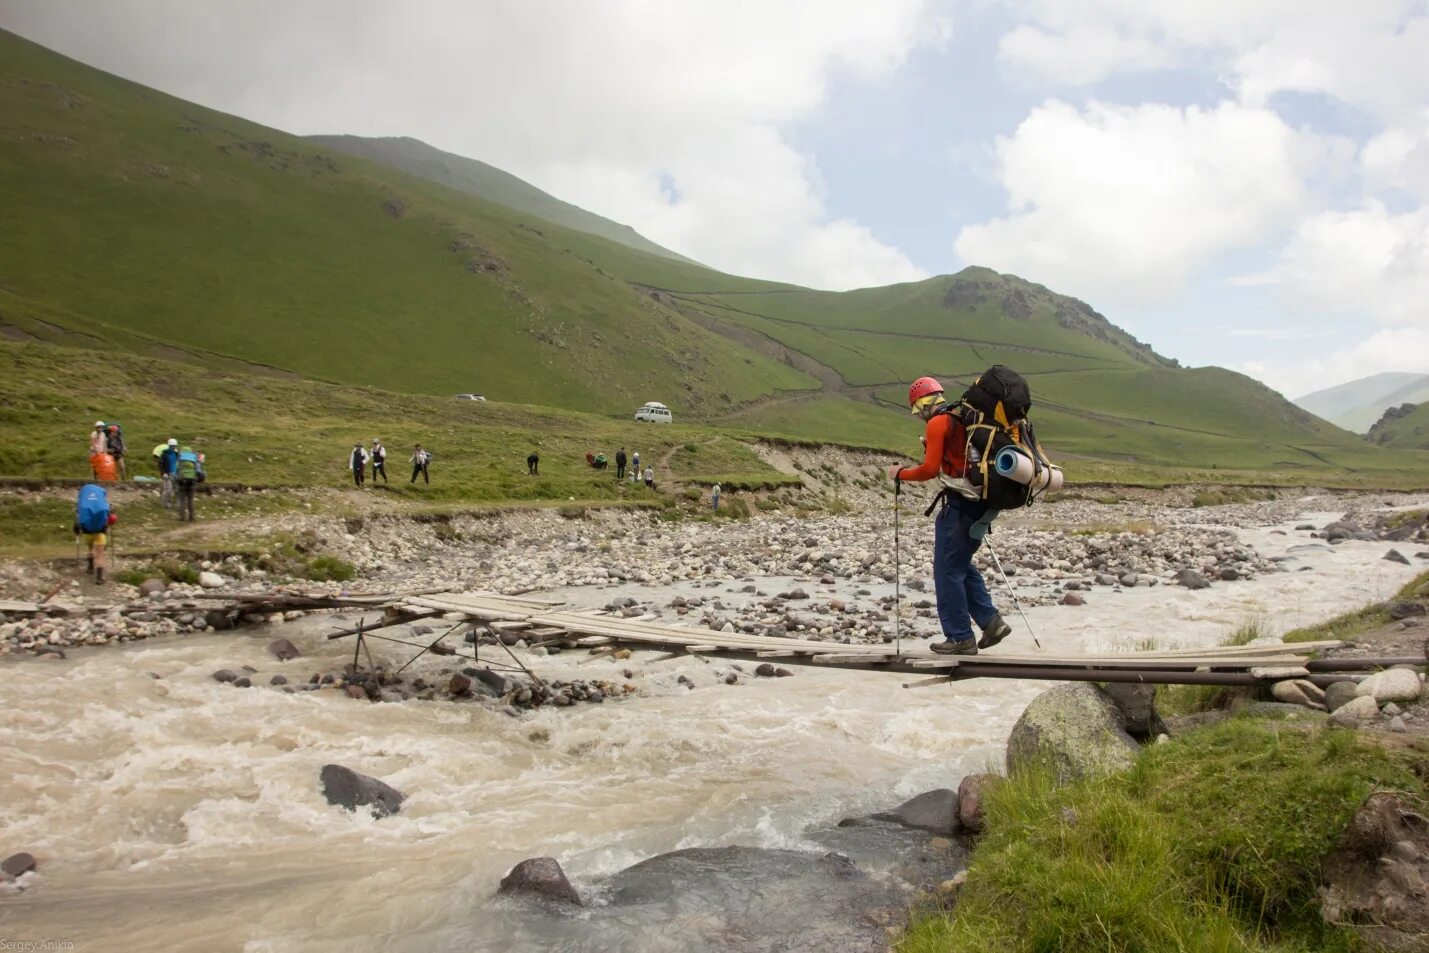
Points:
[[960, 585]]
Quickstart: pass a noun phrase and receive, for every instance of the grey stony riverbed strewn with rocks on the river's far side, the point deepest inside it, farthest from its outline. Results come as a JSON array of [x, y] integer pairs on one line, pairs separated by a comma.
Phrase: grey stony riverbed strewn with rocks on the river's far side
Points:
[[775, 575]]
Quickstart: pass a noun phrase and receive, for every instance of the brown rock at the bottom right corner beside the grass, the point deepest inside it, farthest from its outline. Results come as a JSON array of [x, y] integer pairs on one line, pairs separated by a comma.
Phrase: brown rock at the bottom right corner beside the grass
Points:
[[1377, 875]]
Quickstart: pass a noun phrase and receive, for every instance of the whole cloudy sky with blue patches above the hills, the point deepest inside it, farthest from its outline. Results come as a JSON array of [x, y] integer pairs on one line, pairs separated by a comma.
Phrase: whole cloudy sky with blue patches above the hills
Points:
[[1237, 182]]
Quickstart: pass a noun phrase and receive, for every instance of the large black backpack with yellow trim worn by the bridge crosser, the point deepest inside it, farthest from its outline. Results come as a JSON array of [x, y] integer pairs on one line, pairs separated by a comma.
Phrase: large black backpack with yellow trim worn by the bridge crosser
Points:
[[994, 412]]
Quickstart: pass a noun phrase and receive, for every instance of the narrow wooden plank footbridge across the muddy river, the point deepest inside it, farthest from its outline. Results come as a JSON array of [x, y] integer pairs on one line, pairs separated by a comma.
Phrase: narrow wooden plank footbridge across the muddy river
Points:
[[539, 621]]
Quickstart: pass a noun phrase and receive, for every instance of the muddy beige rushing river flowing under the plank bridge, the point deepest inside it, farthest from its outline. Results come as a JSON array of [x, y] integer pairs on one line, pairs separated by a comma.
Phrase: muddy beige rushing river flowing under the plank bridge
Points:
[[178, 814]]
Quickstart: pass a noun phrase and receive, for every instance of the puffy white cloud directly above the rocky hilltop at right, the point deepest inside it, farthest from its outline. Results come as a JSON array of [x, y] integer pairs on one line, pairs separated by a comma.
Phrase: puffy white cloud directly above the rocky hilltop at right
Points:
[[1124, 205]]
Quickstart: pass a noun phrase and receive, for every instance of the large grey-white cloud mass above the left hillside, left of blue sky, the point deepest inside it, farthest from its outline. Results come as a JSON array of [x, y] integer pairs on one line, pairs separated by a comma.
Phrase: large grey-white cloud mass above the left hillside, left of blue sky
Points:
[[597, 102]]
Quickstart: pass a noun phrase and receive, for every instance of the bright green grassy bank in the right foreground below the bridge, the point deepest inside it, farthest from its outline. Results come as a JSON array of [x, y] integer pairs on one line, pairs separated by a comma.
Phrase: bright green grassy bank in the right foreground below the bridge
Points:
[[1211, 842]]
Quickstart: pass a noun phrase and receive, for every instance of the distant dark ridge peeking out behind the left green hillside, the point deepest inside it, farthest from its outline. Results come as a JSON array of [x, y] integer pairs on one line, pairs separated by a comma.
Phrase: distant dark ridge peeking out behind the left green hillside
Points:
[[477, 178]]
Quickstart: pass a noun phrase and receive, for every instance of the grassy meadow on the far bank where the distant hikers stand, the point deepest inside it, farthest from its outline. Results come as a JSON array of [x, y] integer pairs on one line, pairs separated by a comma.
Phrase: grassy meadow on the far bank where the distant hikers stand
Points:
[[294, 432]]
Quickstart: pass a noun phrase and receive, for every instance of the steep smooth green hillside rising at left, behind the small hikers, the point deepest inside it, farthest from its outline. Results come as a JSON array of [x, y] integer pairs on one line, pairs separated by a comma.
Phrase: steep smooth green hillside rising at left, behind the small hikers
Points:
[[144, 221]]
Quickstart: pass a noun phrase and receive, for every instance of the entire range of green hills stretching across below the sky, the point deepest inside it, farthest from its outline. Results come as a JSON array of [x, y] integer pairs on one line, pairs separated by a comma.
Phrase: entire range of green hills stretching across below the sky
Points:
[[138, 222]]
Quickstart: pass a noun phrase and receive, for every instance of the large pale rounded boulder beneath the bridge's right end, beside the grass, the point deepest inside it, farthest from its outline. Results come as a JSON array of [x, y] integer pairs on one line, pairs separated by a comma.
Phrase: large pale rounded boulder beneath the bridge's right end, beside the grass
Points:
[[1077, 731]]
